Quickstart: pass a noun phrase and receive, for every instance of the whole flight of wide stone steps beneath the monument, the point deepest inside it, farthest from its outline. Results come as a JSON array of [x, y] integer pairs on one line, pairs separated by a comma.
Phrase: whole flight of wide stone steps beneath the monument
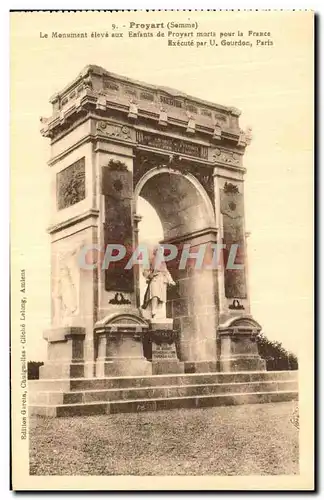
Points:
[[123, 394]]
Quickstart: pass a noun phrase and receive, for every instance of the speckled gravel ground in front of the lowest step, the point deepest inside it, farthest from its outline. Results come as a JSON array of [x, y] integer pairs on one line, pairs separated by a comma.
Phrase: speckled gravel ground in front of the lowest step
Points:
[[232, 440]]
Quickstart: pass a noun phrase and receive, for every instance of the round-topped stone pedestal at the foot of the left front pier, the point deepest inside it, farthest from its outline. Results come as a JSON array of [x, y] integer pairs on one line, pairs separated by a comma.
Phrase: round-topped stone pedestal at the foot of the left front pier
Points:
[[120, 347]]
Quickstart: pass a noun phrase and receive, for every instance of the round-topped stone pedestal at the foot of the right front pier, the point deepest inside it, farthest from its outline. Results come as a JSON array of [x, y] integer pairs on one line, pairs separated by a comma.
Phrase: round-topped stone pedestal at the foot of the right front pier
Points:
[[239, 350]]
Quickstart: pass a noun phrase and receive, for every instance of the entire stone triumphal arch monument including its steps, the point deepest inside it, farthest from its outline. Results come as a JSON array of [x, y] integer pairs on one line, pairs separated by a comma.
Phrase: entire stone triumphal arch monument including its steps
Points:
[[114, 139]]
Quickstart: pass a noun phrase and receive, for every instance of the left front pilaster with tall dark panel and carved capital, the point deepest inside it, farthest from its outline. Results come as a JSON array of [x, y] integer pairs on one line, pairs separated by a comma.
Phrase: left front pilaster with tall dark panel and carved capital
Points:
[[114, 167]]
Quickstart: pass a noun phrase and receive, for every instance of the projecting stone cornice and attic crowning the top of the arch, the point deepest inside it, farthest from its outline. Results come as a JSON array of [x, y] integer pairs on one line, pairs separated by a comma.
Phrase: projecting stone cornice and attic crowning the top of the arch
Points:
[[91, 91]]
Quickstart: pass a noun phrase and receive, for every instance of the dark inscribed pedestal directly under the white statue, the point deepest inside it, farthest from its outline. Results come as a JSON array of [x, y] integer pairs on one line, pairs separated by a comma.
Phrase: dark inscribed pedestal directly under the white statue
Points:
[[164, 354]]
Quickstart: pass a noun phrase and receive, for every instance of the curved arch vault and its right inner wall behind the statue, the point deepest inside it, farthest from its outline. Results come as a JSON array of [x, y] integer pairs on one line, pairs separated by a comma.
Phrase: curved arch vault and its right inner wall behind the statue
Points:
[[186, 212]]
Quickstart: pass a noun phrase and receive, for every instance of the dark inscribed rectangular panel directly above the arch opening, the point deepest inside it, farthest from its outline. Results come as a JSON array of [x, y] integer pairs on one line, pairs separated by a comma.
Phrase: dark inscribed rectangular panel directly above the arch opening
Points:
[[171, 144]]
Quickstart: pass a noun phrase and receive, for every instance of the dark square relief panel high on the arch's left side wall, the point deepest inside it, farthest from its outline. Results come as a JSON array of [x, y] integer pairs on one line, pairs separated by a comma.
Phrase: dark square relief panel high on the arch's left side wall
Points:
[[70, 184]]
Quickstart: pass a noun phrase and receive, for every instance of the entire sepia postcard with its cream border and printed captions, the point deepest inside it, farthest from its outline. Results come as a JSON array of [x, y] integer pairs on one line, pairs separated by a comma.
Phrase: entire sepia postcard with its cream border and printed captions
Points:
[[162, 230]]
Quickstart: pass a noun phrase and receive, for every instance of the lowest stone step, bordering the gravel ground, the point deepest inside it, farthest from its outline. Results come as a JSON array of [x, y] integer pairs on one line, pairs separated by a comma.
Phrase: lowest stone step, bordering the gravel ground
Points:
[[143, 405]]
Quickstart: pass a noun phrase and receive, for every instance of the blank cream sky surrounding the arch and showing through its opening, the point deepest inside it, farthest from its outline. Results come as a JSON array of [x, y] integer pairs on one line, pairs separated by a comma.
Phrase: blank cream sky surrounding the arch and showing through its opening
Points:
[[272, 86]]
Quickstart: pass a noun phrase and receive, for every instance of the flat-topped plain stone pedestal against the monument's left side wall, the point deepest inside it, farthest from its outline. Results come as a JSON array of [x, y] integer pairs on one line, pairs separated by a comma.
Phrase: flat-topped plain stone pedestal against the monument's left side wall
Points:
[[65, 353]]
